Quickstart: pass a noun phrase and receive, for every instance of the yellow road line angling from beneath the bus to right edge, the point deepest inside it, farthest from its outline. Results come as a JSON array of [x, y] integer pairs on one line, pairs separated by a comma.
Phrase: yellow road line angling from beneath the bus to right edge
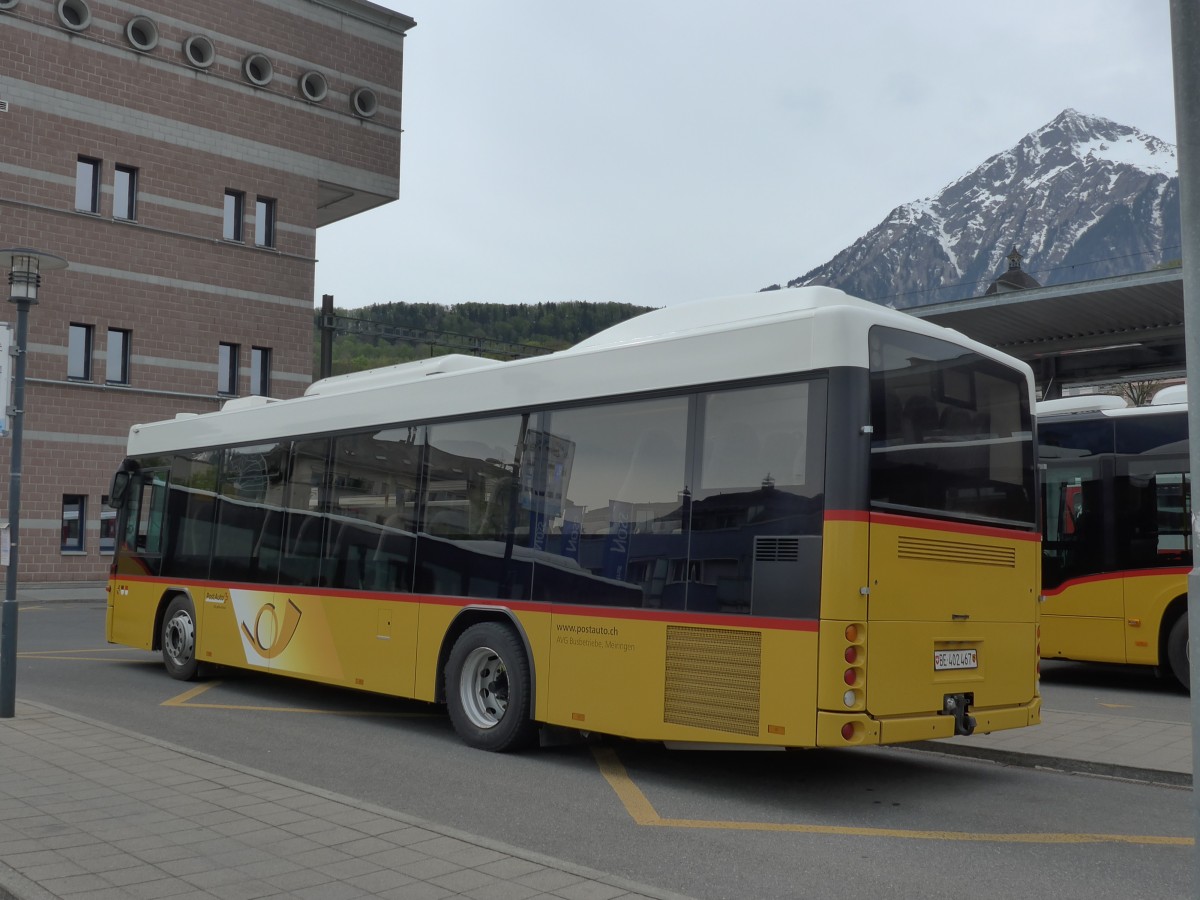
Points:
[[644, 814]]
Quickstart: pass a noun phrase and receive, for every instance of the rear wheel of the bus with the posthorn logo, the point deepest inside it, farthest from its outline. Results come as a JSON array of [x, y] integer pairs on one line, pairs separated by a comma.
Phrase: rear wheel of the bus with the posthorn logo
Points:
[[489, 691]]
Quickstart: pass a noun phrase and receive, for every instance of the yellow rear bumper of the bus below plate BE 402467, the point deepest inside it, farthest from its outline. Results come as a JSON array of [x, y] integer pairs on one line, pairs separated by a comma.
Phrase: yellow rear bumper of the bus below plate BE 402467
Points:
[[863, 730]]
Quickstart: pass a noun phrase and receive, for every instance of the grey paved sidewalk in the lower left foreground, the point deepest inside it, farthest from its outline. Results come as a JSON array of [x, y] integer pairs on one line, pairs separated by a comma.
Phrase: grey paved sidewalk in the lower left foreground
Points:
[[88, 811]]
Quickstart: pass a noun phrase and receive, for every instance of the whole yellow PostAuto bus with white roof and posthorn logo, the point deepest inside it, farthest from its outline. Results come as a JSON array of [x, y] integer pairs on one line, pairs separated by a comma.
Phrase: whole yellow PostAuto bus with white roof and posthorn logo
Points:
[[793, 519]]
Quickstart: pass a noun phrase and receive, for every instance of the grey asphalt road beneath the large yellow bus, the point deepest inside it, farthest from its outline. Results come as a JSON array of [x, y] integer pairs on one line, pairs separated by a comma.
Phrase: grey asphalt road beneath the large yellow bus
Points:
[[884, 823]]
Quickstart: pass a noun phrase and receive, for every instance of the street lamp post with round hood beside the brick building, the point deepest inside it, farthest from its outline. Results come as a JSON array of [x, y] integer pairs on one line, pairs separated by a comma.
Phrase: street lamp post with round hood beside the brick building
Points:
[[25, 277]]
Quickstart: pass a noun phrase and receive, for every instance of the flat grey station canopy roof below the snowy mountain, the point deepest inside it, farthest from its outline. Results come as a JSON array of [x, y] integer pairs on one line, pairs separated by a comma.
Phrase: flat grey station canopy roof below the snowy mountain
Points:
[[1130, 327]]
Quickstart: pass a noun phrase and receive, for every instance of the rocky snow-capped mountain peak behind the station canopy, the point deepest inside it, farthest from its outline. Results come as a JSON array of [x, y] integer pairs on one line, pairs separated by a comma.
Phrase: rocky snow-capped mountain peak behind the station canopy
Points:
[[1081, 199]]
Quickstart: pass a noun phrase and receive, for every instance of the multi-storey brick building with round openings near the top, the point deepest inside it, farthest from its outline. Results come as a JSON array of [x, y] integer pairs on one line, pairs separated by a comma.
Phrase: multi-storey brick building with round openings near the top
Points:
[[181, 155]]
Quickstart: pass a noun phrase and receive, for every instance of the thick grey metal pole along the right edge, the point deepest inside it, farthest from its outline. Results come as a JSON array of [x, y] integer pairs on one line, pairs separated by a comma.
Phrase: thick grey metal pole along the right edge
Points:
[[1185, 41]]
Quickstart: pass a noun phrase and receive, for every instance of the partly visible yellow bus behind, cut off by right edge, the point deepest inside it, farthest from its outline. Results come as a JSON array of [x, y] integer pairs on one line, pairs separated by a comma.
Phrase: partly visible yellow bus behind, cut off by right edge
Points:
[[1118, 543]]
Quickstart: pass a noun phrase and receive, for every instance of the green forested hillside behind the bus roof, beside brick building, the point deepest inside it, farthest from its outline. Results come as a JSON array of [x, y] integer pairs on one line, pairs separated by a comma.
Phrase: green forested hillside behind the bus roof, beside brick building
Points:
[[367, 335]]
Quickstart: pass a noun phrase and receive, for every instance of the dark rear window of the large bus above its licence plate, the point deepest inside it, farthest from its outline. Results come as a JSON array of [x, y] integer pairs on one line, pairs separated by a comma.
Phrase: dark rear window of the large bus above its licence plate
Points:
[[952, 431]]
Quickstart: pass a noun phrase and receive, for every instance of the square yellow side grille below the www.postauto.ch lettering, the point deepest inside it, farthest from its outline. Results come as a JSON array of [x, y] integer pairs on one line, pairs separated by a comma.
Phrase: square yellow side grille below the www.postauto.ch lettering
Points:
[[713, 679]]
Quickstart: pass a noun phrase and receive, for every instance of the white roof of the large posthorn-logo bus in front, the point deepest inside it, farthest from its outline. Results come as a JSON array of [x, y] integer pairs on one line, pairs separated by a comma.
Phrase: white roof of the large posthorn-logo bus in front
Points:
[[711, 341]]
